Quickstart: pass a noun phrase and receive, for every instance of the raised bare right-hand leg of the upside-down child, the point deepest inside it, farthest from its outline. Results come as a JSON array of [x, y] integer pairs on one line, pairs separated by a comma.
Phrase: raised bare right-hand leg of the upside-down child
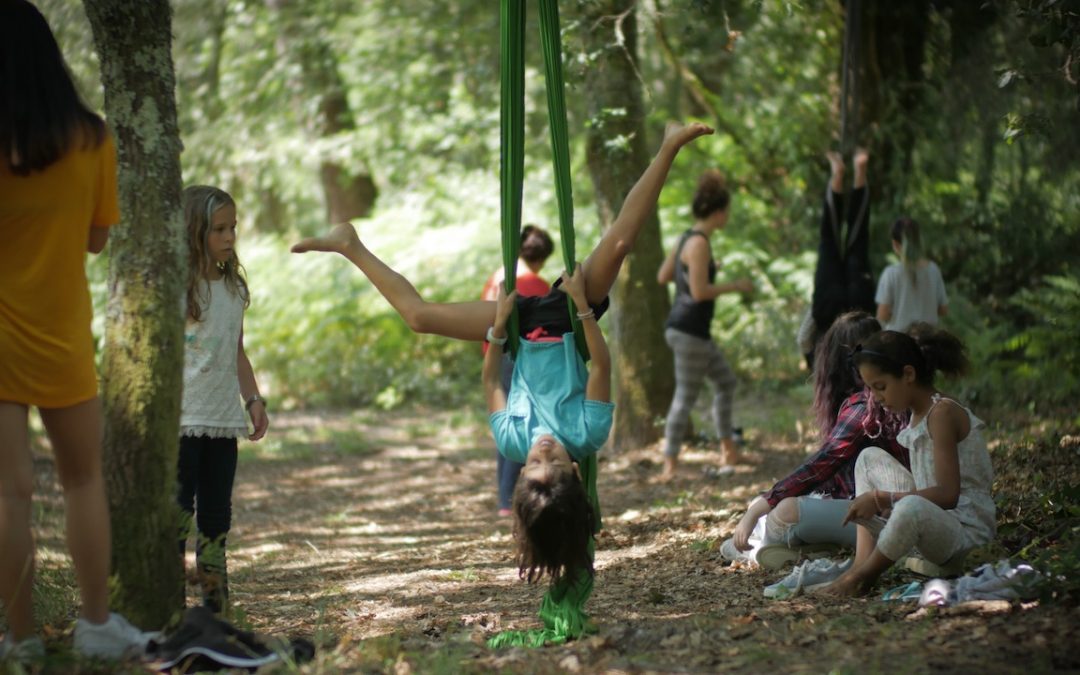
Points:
[[602, 266]]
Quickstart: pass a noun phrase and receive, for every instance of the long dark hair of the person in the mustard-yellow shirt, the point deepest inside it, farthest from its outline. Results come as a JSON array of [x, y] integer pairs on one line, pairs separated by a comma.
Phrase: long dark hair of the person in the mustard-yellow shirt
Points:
[[42, 115]]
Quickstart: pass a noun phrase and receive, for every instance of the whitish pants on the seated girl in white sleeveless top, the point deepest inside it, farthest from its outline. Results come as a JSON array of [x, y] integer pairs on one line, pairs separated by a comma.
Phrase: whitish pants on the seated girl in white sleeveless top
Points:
[[916, 522]]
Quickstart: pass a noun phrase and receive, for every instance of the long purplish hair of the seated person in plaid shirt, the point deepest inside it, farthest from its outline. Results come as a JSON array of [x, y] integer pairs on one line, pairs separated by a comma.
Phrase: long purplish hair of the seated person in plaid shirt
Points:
[[835, 380]]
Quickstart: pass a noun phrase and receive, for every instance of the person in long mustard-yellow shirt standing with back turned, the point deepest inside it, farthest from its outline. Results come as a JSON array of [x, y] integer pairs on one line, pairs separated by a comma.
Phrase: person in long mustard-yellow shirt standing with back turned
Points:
[[58, 200]]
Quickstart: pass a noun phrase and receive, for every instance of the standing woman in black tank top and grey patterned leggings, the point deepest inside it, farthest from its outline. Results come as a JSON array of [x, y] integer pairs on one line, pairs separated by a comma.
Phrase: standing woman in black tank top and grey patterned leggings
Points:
[[691, 265]]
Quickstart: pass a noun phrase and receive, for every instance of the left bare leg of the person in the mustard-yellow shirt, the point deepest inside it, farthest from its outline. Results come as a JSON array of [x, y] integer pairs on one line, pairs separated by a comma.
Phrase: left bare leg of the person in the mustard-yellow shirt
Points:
[[17, 543]]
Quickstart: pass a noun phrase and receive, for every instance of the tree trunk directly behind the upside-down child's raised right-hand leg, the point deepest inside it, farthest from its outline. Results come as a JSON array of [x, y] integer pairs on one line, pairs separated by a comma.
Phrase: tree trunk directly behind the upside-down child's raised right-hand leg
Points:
[[617, 157]]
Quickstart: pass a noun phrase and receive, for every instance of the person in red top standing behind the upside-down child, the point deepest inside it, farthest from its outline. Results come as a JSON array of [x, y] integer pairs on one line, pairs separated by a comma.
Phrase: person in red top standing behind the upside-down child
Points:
[[536, 249]]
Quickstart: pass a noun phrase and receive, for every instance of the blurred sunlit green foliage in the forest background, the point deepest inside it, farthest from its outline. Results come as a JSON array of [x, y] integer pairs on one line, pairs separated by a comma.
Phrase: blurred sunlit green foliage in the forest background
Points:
[[989, 166]]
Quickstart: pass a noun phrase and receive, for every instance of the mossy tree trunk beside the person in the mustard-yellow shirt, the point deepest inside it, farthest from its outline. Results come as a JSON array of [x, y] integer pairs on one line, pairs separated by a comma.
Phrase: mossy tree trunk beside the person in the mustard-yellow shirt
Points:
[[144, 348]]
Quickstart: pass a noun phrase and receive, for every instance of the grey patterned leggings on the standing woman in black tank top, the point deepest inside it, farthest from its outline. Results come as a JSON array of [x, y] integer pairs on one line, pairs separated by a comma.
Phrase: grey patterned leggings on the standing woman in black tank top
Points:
[[697, 360]]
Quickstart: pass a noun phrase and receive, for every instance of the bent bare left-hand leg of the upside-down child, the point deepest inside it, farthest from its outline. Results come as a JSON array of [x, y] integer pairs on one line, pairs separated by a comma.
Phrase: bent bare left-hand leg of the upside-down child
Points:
[[466, 321]]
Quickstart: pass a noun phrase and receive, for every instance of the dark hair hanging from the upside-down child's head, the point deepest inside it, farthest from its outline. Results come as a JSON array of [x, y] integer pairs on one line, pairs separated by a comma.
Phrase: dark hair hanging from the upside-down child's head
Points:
[[553, 523]]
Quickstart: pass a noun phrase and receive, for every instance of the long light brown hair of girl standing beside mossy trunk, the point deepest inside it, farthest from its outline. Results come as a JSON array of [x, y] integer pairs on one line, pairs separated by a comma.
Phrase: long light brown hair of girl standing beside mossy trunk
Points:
[[200, 204]]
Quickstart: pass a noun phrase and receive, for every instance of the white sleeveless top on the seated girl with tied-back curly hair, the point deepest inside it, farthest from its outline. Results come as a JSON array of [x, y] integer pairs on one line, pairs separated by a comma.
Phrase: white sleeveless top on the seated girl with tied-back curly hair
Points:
[[975, 508]]
